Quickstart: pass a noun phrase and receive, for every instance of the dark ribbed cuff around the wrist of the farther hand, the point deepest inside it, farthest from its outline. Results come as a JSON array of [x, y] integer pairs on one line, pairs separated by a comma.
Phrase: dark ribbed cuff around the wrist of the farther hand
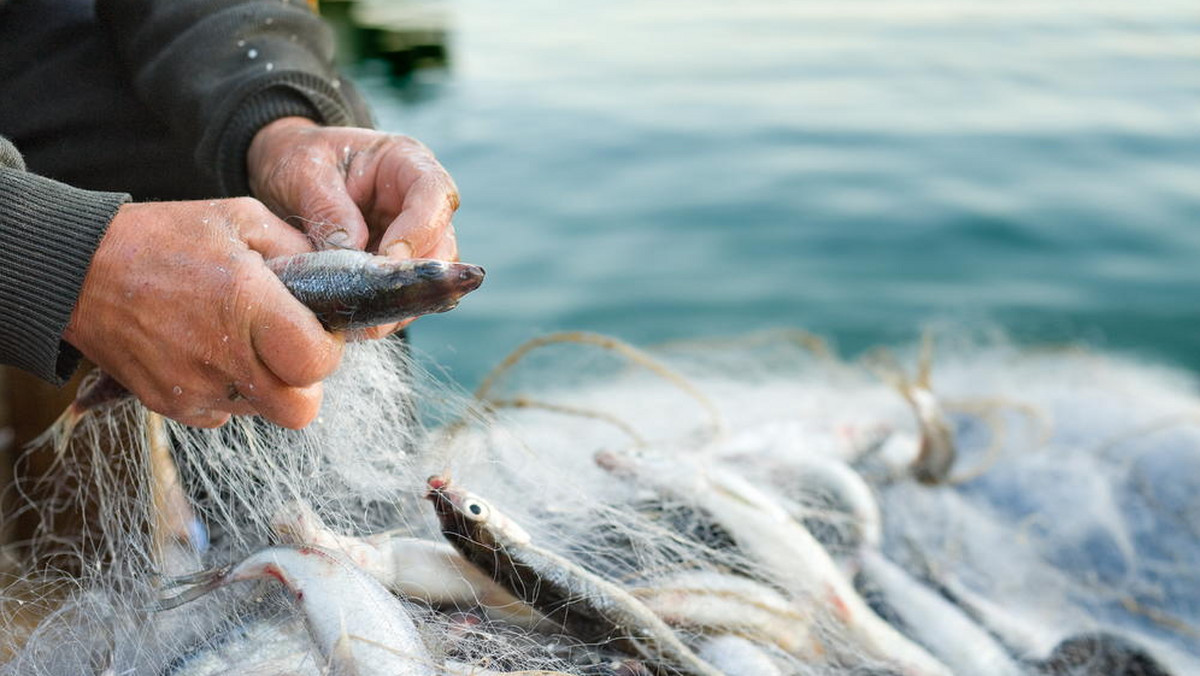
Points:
[[290, 94]]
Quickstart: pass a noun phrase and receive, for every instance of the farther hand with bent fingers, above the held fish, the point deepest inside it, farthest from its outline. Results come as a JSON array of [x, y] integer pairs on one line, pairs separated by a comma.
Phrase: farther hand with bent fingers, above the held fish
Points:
[[357, 188]]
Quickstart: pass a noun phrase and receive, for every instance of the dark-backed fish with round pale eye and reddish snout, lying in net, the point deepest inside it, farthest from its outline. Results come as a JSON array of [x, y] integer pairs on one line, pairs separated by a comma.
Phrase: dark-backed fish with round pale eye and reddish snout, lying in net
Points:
[[586, 606]]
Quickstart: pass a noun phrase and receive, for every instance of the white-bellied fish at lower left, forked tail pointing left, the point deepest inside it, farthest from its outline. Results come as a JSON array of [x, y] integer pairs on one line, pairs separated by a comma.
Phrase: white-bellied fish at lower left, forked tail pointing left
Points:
[[357, 625]]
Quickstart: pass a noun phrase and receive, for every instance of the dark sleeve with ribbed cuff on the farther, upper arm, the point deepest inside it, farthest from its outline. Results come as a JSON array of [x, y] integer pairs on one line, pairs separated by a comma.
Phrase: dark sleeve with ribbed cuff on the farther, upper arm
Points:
[[220, 70]]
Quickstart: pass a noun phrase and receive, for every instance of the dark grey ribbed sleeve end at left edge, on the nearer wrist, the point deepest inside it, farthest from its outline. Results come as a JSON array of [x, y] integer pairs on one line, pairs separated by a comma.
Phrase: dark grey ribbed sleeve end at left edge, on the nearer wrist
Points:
[[49, 235]]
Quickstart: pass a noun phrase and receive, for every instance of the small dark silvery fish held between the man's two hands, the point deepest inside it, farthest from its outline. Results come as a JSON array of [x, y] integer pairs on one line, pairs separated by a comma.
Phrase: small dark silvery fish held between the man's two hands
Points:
[[356, 290]]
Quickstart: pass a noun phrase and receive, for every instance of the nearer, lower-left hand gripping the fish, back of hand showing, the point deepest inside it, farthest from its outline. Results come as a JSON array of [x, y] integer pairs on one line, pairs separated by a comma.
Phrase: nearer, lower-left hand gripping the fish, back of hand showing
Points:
[[179, 307]]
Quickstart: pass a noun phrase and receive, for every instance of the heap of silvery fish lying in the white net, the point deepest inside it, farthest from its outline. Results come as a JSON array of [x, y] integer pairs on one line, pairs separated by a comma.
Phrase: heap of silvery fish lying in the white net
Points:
[[788, 575]]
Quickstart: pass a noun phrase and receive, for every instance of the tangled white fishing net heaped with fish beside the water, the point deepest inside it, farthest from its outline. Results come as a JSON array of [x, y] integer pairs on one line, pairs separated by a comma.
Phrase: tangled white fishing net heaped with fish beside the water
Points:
[[971, 510]]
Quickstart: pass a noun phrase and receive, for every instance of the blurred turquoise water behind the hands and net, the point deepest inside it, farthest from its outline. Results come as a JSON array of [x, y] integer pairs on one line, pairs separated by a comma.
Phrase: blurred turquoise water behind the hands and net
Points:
[[663, 169]]
